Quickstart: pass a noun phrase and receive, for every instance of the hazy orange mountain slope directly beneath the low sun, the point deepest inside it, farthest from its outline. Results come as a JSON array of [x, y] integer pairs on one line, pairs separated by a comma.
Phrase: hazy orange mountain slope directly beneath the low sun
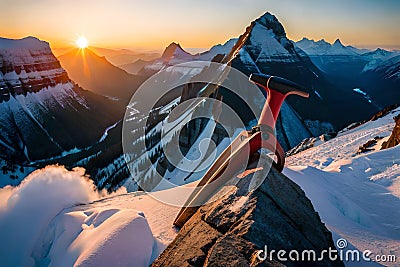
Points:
[[97, 74]]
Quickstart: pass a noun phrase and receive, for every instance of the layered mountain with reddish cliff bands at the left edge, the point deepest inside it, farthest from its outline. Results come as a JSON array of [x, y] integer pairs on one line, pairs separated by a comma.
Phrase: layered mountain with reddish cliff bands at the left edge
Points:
[[44, 113]]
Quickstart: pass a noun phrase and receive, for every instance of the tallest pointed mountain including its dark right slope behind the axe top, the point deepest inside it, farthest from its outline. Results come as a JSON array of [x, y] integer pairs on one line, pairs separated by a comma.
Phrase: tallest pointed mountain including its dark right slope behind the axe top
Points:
[[268, 50]]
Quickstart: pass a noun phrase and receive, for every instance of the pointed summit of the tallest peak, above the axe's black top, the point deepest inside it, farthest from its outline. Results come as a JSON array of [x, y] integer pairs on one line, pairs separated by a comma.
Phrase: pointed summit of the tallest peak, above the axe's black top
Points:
[[268, 50]]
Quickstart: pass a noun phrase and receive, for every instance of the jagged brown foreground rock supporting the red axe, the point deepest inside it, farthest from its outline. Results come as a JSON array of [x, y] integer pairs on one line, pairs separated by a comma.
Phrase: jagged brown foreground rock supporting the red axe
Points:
[[231, 231]]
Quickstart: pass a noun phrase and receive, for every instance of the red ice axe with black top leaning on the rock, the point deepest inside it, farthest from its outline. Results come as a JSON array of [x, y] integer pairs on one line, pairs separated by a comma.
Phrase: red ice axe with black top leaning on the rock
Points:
[[245, 145]]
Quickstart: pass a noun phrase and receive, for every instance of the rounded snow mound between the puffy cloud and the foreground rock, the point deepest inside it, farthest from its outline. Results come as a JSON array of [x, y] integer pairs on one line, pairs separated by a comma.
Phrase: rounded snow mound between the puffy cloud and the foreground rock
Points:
[[129, 229]]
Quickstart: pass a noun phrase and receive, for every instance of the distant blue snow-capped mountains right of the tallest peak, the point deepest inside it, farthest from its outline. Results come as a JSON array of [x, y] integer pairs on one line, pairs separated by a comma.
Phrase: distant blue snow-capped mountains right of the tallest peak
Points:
[[372, 71]]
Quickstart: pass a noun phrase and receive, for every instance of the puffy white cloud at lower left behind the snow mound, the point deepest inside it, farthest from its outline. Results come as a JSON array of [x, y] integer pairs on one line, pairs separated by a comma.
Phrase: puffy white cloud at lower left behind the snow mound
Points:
[[26, 210]]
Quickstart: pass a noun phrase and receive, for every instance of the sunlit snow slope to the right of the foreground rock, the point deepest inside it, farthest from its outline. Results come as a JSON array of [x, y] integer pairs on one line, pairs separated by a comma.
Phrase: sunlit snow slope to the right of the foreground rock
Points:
[[356, 195]]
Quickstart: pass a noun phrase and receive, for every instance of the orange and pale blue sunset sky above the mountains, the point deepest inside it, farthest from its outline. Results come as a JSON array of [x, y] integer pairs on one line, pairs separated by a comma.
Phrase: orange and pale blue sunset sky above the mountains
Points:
[[197, 23]]
